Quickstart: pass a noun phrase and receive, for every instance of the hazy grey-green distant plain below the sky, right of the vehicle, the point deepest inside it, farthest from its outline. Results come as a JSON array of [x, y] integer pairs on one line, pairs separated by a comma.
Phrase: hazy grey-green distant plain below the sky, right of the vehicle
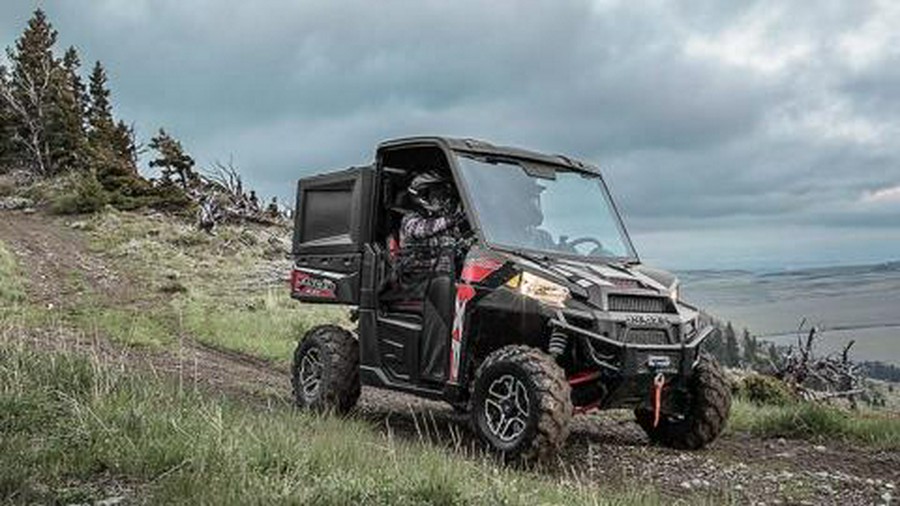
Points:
[[847, 302]]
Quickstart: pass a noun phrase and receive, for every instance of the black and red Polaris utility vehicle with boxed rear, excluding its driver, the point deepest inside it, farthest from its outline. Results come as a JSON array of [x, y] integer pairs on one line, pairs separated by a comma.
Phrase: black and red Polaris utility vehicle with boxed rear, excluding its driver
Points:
[[521, 336]]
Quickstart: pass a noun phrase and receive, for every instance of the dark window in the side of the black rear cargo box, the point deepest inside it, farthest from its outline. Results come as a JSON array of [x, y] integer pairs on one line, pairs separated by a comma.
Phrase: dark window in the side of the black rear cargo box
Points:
[[326, 214]]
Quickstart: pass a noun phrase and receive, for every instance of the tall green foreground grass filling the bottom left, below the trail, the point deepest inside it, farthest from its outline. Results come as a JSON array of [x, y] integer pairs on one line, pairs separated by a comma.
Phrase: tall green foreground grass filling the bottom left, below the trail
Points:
[[76, 429]]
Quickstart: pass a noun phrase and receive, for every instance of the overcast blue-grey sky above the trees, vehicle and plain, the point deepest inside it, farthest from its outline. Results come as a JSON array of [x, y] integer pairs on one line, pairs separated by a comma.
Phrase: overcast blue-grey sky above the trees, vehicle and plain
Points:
[[733, 134]]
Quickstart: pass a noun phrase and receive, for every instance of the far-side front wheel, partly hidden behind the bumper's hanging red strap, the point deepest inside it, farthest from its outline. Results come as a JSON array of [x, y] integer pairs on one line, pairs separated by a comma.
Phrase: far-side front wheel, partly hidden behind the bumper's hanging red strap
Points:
[[709, 402]]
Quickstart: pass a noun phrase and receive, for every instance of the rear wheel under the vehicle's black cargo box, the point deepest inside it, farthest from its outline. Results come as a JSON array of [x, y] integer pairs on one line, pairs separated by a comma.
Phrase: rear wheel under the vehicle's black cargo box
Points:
[[325, 373]]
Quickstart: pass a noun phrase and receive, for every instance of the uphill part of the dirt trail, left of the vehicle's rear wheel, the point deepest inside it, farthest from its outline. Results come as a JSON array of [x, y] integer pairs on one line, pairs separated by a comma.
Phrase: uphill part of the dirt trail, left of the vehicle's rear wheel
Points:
[[49, 252]]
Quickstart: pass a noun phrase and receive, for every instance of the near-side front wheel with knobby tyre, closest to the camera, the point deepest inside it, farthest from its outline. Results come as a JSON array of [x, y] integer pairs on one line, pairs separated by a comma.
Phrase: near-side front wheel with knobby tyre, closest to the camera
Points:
[[521, 403]]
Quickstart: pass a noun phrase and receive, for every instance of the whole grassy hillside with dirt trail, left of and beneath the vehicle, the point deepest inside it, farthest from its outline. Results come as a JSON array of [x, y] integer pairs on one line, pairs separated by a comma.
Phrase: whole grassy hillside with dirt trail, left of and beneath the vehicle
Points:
[[199, 329]]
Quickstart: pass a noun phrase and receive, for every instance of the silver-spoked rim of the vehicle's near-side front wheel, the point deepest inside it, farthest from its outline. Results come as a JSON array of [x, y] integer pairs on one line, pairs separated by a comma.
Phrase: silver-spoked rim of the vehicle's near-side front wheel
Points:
[[506, 408]]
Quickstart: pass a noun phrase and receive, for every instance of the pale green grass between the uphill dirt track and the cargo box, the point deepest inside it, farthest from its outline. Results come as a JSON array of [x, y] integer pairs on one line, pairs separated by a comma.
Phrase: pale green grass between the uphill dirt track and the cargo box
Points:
[[223, 290]]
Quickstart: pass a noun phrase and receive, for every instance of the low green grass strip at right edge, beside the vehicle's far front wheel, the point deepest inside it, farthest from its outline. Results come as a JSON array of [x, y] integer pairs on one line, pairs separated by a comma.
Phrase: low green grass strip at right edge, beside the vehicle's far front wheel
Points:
[[808, 420]]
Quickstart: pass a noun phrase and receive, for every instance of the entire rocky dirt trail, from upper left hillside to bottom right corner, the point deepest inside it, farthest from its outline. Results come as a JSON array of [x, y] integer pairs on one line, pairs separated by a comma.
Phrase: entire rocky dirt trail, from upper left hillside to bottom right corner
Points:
[[604, 449]]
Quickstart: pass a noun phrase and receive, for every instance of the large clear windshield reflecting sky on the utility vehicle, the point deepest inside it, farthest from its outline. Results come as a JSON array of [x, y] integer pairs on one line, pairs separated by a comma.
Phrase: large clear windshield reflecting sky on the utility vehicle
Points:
[[525, 205]]
